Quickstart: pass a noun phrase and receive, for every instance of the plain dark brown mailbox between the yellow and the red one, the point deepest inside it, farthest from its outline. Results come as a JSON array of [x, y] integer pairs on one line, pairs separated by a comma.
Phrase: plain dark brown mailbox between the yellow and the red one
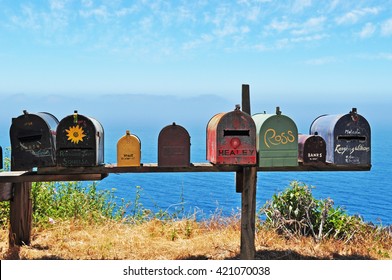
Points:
[[174, 146]]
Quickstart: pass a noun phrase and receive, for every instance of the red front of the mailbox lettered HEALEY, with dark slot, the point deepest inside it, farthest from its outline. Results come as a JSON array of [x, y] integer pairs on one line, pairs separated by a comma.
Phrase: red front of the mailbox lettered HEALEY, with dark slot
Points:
[[236, 139]]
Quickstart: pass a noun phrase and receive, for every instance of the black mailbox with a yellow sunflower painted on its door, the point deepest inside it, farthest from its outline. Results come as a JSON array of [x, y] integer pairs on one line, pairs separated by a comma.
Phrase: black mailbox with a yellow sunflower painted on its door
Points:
[[80, 141]]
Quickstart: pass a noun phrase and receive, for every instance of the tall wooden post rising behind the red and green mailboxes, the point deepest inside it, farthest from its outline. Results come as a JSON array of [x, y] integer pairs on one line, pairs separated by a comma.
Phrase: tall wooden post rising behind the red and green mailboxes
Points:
[[248, 197]]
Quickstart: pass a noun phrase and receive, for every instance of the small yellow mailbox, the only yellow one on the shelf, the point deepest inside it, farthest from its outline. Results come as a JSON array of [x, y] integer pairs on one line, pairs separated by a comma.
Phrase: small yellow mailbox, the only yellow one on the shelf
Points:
[[128, 150]]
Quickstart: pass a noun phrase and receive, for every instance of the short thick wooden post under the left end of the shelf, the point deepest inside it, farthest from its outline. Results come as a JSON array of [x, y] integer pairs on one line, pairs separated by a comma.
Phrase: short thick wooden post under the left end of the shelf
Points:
[[21, 211]]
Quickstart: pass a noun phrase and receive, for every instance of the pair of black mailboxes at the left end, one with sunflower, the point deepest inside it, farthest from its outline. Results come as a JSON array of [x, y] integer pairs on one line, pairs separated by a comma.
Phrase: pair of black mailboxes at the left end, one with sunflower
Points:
[[40, 140]]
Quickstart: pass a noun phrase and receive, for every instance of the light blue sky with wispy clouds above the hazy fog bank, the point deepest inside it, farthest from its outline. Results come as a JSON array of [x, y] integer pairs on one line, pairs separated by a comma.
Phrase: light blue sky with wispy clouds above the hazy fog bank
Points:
[[337, 52]]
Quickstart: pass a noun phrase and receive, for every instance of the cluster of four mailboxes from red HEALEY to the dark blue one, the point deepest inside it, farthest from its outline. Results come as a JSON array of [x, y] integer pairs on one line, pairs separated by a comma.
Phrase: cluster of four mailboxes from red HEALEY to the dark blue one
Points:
[[233, 138]]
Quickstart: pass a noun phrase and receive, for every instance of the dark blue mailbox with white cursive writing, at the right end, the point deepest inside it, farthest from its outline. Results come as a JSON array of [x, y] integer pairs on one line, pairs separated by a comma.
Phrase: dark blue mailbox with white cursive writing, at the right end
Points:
[[347, 137]]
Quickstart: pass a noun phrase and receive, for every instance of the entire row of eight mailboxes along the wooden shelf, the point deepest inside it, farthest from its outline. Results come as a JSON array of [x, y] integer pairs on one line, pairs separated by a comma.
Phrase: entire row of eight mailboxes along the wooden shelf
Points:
[[233, 138]]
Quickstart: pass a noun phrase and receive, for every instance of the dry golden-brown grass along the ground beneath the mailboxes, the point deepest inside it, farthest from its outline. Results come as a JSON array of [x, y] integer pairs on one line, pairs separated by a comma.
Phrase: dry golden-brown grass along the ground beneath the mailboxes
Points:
[[187, 239]]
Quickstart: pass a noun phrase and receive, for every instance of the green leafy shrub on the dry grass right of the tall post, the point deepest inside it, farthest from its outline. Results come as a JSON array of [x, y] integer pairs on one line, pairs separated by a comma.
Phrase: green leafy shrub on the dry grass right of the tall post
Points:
[[296, 212]]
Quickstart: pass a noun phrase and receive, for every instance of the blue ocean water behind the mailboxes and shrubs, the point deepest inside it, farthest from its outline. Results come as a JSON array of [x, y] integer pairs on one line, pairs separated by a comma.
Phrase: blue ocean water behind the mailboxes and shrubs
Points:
[[367, 194]]
